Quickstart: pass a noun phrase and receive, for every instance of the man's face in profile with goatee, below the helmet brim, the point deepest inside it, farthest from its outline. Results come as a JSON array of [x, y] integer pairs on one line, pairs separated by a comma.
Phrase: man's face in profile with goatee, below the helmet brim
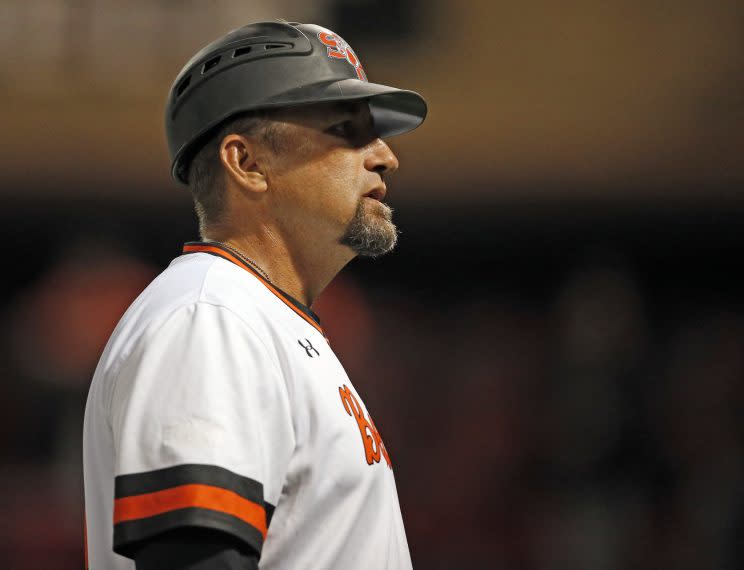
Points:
[[326, 174]]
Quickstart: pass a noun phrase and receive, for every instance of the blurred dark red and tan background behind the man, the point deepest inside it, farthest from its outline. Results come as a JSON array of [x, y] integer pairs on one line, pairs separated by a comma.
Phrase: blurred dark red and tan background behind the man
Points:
[[555, 353]]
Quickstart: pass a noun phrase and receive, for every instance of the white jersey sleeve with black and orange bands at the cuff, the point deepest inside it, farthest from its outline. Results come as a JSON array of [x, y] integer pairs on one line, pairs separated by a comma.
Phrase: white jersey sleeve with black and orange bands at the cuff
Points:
[[202, 430]]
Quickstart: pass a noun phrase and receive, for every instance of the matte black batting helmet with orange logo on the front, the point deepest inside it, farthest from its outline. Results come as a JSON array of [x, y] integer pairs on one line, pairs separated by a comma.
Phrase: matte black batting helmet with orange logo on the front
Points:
[[274, 64]]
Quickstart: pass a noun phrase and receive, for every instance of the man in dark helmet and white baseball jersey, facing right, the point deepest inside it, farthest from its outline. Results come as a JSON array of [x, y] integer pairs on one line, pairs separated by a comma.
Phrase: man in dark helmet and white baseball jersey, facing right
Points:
[[220, 429]]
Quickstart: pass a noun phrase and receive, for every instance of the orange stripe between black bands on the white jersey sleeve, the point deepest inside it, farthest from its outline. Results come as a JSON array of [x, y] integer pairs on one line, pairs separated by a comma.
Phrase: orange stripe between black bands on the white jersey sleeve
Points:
[[189, 496]]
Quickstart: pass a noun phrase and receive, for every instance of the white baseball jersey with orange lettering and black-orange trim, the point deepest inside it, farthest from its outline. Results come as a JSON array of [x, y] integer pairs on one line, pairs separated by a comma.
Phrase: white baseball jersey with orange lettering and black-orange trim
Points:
[[218, 403]]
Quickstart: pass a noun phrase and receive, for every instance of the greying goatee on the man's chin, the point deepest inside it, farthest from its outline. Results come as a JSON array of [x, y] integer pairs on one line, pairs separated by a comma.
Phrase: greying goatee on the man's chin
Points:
[[371, 232]]
